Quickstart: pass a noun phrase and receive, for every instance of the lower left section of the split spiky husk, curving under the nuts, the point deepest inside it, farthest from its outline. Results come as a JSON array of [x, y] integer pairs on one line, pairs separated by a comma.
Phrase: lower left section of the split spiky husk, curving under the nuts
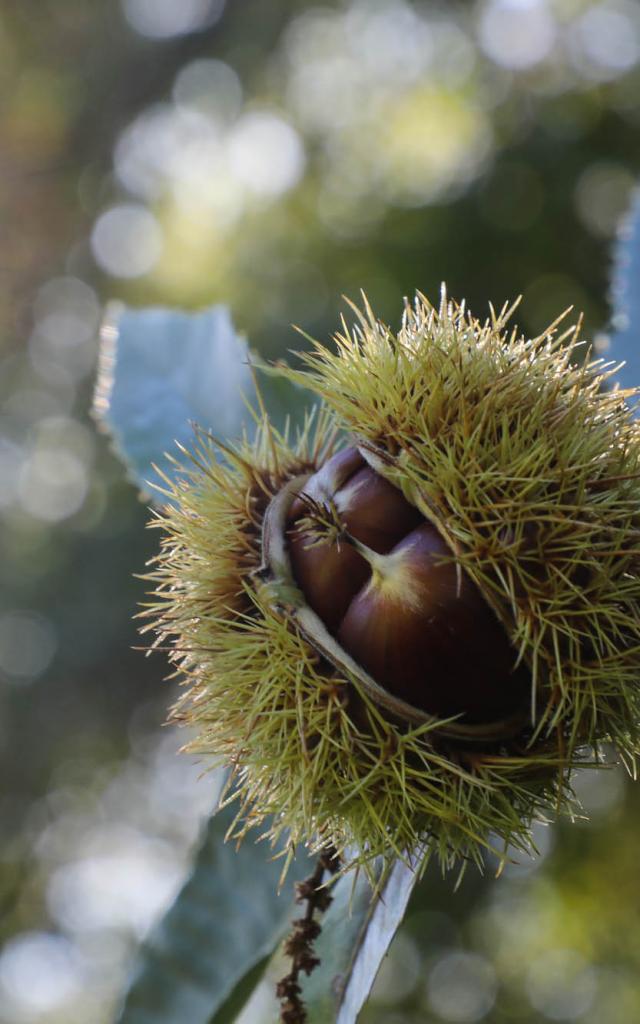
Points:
[[312, 755]]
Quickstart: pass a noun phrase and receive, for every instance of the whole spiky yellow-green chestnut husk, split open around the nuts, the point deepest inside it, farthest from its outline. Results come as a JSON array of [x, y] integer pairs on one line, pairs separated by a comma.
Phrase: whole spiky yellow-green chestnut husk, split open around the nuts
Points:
[[531, 474]]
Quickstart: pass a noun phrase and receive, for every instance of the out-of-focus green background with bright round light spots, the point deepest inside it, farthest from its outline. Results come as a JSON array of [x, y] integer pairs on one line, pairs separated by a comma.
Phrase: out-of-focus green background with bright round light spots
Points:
[[275, 157]]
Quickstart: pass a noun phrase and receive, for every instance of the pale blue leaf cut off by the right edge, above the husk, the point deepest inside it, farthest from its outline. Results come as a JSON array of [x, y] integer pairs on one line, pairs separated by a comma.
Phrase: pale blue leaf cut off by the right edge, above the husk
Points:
[[625, 335]]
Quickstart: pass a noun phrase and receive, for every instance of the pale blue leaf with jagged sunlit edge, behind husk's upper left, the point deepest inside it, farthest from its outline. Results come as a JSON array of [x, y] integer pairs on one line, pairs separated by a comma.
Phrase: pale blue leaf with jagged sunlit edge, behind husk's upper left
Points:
[[164, 370]]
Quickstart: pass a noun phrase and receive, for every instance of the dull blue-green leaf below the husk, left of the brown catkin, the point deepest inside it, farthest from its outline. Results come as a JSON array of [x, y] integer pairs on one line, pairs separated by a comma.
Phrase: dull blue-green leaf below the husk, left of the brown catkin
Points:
[[208, 953]]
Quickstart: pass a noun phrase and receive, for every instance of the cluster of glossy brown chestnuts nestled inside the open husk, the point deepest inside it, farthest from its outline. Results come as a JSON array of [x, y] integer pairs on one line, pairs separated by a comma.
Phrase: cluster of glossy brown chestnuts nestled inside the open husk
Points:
[[413, 620]]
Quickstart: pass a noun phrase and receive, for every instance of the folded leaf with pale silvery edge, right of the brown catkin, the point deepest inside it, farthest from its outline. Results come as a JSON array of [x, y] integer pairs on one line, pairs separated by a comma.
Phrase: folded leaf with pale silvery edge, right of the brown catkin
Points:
[[357, 933]]
